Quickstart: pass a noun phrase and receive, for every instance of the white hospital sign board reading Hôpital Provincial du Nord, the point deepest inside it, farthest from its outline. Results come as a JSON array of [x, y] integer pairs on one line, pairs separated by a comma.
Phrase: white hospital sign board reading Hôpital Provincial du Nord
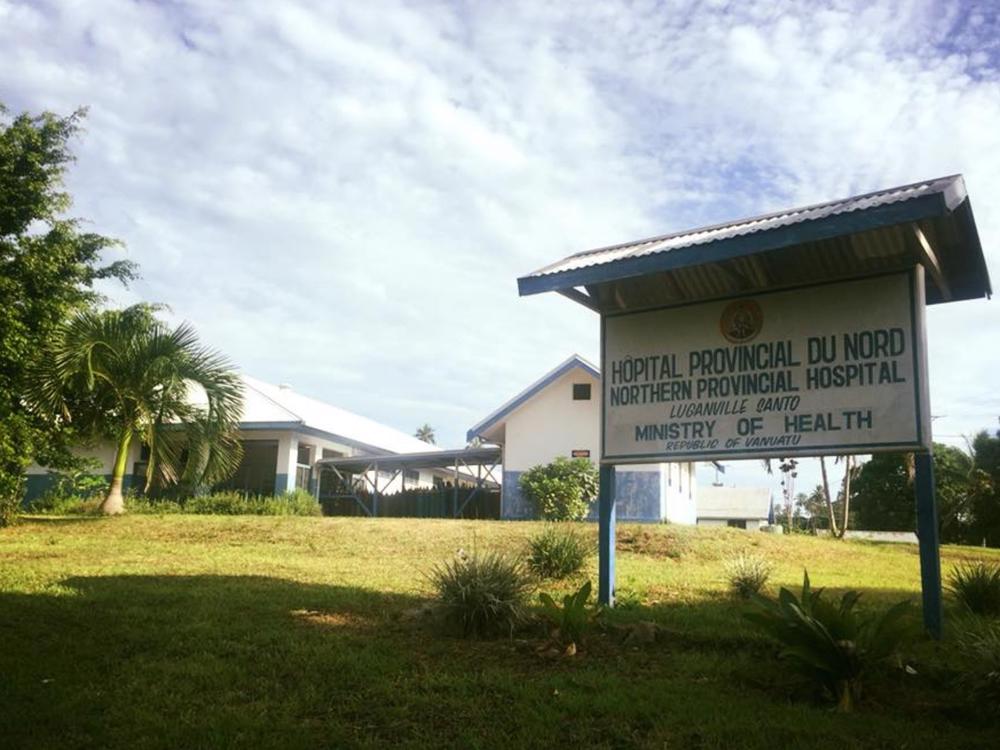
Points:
[[830, 369]]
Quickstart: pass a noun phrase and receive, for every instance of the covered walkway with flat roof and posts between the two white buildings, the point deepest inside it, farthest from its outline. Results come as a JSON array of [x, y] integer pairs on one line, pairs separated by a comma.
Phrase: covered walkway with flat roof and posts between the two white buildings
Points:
[[471, 465]]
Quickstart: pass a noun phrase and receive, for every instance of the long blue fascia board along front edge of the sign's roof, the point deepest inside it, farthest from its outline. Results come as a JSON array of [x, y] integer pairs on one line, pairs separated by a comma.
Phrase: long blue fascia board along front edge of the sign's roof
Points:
[[861, 220]]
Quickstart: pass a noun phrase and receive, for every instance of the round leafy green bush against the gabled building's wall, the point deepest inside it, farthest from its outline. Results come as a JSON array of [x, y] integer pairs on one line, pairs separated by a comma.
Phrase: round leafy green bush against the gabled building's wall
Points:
[[562, 490]]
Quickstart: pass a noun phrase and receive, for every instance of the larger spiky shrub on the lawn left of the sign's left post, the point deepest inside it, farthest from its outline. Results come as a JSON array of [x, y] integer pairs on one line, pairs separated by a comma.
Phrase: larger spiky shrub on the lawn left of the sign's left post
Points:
[[484, 594]]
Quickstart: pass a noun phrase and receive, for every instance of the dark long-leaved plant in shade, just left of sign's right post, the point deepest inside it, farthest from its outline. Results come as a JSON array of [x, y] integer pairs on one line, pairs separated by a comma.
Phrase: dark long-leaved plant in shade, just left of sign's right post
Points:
[[832, 644]]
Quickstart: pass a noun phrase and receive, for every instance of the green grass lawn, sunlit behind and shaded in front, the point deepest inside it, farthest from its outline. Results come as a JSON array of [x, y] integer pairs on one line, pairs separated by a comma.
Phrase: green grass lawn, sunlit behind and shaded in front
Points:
[[206, 632]]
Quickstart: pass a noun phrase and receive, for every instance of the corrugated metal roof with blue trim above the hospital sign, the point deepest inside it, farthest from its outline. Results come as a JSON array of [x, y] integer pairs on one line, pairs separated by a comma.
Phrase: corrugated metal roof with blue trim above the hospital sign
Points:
[[929, 222]]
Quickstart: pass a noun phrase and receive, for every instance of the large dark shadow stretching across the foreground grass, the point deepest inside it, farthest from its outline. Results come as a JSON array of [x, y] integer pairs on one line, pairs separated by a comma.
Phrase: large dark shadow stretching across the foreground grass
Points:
[[255, 661]]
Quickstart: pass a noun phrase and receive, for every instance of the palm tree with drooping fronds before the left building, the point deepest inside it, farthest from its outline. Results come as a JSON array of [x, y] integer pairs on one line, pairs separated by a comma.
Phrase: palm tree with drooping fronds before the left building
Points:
[[126, 375]]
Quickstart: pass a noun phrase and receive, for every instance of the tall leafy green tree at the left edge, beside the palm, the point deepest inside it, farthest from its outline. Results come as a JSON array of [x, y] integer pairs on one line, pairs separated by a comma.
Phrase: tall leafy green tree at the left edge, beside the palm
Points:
[[47, 270]]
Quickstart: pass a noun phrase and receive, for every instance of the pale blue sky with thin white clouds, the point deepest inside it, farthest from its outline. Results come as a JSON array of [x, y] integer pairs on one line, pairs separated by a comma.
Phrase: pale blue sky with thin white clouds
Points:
[[341, 196]]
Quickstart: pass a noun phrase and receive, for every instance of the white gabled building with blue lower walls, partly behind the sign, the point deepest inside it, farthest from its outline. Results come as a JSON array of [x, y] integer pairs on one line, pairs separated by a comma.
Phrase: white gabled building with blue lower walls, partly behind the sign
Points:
[[560, 415]]
